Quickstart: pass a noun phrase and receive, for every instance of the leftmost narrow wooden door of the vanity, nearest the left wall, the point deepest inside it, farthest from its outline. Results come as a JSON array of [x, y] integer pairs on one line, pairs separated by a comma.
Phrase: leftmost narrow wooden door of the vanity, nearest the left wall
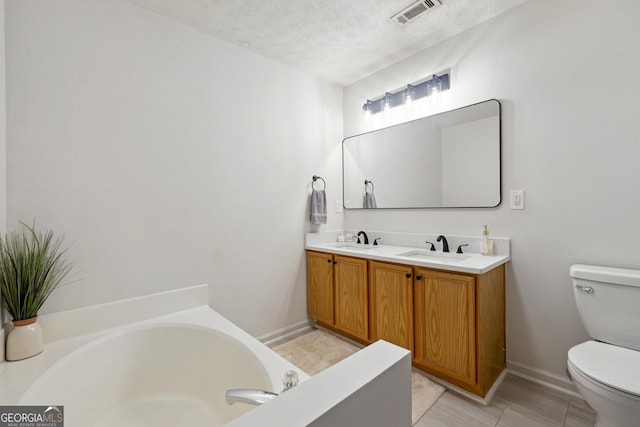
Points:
[[320, 287]]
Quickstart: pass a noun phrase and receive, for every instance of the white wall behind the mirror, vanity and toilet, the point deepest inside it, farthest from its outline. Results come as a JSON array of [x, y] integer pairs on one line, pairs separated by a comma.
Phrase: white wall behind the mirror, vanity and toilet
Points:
[[566, 73]]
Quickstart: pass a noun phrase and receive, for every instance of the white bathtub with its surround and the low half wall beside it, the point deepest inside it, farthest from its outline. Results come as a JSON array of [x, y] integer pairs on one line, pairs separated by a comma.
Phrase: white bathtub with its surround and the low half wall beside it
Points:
[[167, 359]]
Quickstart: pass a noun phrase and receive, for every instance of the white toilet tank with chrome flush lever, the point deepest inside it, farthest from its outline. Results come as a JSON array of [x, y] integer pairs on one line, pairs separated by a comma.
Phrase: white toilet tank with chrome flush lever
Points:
[[608, 301]]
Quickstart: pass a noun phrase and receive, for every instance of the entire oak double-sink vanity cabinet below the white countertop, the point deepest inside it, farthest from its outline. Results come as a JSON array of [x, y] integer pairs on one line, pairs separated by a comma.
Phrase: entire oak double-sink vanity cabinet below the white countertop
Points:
[[453, 323]]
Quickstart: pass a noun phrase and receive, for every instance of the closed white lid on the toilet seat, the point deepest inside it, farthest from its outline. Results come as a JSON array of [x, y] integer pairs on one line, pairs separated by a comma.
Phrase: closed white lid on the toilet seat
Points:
[[616, 367]]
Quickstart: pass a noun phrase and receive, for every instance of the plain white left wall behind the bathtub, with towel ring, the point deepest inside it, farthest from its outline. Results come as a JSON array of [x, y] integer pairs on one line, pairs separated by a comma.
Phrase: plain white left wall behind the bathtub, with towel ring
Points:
[[167, 157]]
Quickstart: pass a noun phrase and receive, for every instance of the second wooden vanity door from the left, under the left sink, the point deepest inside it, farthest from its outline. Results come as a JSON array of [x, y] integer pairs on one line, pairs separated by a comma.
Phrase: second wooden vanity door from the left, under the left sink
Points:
[[351, 296]]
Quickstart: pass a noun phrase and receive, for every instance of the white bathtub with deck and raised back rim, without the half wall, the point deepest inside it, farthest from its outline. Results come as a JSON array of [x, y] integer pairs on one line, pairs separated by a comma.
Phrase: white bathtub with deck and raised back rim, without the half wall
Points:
[[165, 359]]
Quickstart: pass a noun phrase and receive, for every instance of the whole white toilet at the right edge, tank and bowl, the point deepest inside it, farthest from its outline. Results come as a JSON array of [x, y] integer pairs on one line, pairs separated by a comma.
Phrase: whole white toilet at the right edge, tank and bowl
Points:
[[606, 369]]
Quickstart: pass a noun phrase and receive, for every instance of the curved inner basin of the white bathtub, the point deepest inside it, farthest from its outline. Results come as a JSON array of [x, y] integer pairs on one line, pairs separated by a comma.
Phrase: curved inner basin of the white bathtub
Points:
[[160, 375]]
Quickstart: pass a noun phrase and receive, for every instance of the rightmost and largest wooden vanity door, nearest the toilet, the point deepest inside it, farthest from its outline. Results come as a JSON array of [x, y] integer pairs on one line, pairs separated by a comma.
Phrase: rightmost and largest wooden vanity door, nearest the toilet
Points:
[[445, 339]]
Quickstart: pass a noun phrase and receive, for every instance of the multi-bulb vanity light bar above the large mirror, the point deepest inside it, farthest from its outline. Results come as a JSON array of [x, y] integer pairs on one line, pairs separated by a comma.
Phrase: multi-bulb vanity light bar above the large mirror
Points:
[[430, 87]]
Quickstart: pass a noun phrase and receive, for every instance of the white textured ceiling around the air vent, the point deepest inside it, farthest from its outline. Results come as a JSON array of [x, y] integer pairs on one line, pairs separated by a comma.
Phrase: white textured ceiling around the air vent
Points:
[[340, 41]]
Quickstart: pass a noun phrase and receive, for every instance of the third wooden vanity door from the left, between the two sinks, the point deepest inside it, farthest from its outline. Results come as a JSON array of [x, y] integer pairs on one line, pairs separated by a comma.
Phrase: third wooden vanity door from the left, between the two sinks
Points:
[[391, 303]]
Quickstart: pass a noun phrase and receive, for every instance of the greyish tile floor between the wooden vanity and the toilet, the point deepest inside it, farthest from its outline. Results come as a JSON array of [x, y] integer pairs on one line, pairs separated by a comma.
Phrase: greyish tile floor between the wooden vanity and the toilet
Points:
[[517, 403]]
